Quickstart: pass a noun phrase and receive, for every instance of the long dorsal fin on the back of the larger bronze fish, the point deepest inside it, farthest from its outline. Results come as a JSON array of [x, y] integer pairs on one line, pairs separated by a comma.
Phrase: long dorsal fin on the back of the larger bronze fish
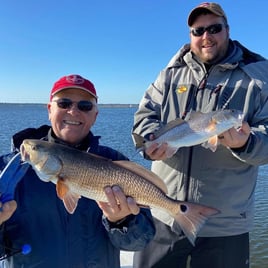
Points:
[[143, 172]]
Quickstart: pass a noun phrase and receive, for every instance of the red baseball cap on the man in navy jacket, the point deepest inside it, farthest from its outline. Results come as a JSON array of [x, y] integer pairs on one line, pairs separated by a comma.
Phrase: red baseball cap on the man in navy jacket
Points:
[[73, 81]]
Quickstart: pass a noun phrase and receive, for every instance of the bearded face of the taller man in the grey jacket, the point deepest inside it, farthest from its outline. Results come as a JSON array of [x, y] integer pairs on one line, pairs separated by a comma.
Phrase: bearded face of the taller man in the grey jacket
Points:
[[210, 48]]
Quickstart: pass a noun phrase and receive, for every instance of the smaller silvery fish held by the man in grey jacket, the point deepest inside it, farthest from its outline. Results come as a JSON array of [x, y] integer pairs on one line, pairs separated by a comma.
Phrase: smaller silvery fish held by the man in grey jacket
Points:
[[197, 128]]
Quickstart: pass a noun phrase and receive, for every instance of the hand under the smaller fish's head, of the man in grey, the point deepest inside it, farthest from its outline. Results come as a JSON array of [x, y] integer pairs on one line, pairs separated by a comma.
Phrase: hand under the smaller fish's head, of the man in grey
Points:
[[235, 138]]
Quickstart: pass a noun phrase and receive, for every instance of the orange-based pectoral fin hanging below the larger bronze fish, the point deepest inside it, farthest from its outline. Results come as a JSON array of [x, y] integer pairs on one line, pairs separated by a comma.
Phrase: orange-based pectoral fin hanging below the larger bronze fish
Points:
[[70, 199]]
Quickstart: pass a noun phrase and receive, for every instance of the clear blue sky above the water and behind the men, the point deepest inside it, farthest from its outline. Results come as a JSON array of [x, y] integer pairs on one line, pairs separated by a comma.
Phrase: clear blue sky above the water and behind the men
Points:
[[120, 45]]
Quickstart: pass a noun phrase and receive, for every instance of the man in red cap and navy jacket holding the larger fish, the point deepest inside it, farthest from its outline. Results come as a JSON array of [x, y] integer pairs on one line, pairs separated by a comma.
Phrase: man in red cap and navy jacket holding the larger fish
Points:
[[95, 233]]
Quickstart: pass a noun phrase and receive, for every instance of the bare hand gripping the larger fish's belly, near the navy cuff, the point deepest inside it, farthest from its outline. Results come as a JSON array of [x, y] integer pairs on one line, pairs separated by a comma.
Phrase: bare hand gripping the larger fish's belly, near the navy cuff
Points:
[[118, 206]]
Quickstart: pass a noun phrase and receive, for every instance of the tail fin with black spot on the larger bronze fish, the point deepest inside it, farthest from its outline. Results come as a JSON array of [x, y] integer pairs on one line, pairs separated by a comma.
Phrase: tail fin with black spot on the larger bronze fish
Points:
[[192, 217]]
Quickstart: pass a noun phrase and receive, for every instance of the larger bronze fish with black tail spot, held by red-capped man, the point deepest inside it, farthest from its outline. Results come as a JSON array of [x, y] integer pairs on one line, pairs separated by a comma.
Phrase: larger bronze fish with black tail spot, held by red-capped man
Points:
[[77, 174]]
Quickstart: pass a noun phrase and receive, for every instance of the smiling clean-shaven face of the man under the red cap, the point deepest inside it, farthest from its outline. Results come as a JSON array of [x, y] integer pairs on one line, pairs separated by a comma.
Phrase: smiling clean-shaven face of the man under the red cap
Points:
[[72, 125]]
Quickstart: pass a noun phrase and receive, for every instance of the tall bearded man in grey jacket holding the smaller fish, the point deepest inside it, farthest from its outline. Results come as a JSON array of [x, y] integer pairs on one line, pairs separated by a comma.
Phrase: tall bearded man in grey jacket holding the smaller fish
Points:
[[211, 73]]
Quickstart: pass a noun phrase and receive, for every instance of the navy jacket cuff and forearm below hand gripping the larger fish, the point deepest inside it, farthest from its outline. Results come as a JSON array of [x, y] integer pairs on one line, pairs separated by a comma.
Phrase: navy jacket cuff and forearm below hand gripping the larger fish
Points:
[[134, 233]]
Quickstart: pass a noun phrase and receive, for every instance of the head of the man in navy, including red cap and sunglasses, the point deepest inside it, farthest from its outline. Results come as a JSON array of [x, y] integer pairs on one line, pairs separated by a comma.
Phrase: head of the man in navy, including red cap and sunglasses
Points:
[[72, 108]]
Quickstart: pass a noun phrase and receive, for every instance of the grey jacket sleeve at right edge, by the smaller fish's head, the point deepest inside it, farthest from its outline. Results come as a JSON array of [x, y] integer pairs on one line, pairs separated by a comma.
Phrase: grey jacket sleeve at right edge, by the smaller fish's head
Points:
[[256, 110]]
